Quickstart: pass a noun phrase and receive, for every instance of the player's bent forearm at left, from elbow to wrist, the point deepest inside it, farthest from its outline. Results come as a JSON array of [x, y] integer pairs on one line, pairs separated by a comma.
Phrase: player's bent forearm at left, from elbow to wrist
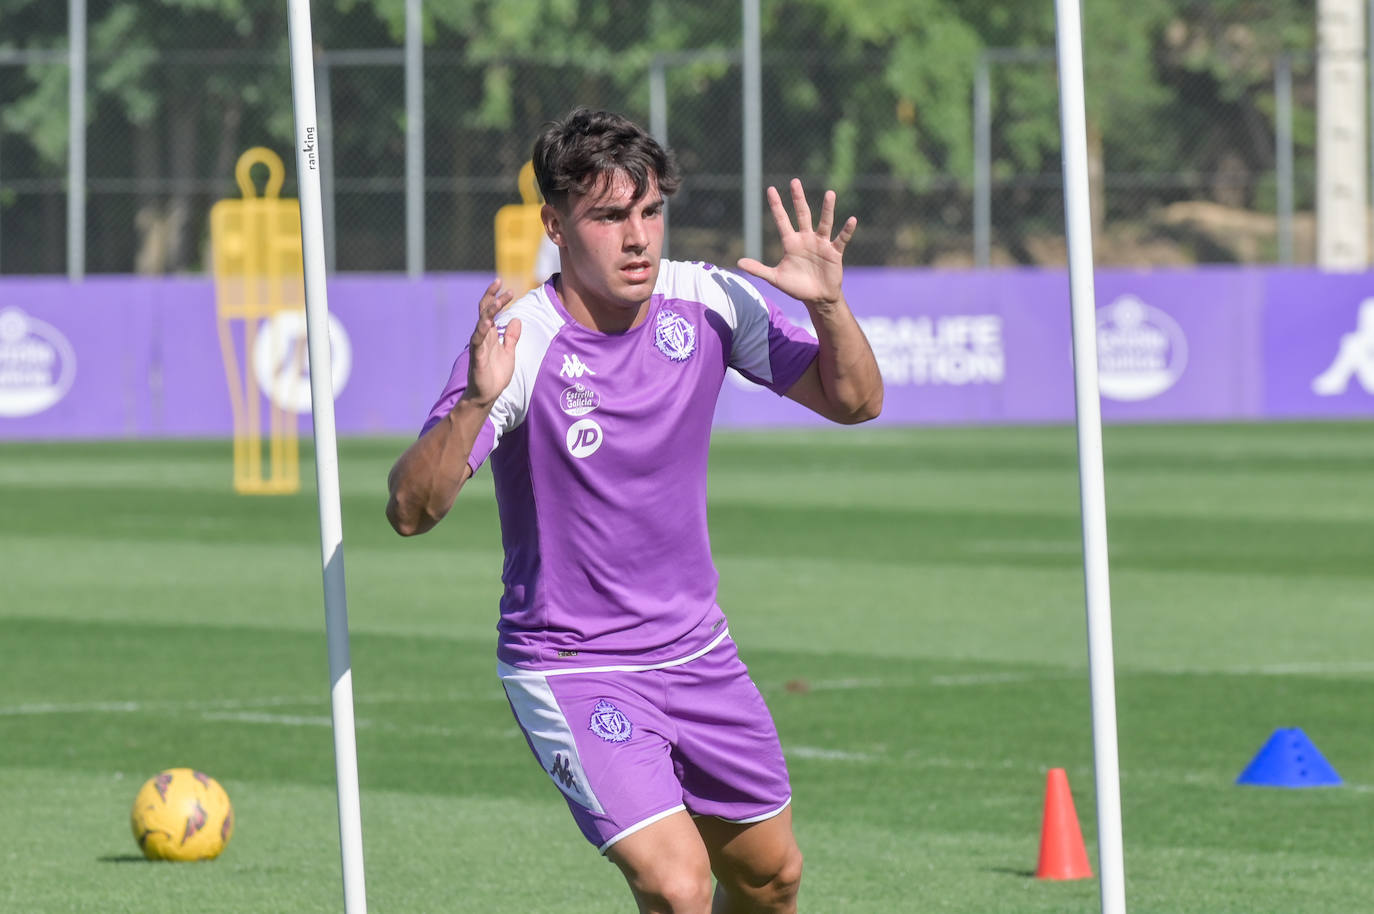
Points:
[[428, 478]]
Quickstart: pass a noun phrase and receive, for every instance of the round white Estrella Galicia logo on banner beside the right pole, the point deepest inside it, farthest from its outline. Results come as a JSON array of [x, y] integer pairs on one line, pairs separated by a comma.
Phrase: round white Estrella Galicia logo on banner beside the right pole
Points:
[[1142, 351]]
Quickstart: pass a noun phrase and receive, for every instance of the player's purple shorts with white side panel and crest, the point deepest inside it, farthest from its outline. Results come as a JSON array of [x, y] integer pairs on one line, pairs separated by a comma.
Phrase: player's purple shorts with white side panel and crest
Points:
[[630, 747]]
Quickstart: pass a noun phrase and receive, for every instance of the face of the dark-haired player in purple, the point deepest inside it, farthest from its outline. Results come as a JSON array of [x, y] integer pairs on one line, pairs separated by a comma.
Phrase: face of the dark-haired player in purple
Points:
[[609, 244]]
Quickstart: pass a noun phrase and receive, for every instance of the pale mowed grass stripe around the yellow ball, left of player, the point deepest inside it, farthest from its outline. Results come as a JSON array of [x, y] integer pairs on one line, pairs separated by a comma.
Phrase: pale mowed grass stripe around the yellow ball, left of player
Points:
[[423, 853]]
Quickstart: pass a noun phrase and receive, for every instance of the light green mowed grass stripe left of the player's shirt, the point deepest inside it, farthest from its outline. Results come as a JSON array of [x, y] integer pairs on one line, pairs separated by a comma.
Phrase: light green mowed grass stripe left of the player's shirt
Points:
[[252, 585]]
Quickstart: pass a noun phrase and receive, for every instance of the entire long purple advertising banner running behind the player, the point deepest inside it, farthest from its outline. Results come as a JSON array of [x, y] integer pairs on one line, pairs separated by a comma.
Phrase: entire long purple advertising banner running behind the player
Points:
[[116, 358]]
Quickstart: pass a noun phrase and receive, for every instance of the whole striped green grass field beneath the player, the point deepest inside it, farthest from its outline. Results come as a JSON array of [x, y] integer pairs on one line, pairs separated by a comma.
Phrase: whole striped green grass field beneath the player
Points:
[[925, 583]]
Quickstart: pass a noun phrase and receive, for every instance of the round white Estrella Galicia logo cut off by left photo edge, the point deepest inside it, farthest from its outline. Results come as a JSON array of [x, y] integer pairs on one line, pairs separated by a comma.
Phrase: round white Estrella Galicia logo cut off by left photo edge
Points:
[[38, 365]]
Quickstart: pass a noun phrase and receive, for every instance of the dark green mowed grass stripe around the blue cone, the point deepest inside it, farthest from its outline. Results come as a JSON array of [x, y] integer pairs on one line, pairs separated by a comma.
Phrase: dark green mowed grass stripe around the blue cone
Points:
[[442, 729]]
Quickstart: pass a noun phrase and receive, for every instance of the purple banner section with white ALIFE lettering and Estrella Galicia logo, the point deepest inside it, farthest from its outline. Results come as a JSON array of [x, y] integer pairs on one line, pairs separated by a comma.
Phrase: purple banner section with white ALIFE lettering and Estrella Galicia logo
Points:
[[997, 347]]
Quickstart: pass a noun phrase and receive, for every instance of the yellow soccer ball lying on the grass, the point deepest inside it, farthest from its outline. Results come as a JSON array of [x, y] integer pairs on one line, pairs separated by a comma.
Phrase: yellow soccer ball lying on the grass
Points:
[[182, 814]]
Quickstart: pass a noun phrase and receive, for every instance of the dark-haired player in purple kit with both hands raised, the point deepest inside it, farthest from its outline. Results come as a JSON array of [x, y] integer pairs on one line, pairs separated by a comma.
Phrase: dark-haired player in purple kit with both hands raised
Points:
[[593, 397]]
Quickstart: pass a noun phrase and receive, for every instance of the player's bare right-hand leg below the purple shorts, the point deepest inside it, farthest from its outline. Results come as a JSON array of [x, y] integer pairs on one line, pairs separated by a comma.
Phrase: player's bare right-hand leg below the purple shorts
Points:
[[758, 867]]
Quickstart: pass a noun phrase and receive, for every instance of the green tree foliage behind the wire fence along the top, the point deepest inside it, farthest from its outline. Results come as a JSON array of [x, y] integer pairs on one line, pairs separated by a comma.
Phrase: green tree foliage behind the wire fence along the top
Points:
[[875, 91]]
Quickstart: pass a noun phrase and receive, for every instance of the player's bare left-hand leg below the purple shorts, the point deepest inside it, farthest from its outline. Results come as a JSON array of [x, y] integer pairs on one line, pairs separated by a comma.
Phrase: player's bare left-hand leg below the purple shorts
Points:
[[667, 867]]
